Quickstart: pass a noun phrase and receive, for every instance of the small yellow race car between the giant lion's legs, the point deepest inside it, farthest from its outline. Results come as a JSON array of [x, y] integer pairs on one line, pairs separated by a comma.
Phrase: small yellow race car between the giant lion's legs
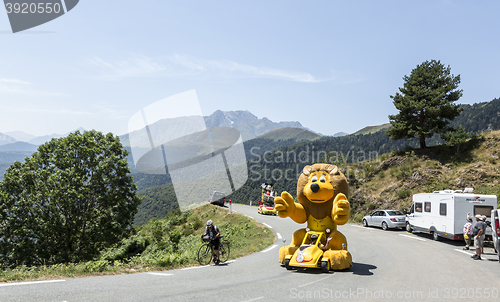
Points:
[[310, 253]]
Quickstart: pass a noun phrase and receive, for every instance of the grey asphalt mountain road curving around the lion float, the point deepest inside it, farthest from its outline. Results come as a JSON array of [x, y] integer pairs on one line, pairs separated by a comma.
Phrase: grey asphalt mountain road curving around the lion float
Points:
[[388, 266]]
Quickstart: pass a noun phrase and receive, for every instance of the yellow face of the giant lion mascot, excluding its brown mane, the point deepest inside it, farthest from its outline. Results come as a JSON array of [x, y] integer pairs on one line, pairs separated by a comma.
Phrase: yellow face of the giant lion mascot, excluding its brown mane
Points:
[[319, 188]]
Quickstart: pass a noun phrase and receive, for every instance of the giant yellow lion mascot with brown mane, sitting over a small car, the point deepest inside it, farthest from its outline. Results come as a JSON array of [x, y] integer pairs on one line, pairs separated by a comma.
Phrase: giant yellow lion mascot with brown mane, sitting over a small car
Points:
[[322, 192]]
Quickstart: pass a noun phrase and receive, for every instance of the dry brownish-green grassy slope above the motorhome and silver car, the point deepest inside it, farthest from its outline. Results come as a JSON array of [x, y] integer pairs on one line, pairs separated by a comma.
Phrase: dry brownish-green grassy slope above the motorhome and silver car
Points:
[[391, 182]]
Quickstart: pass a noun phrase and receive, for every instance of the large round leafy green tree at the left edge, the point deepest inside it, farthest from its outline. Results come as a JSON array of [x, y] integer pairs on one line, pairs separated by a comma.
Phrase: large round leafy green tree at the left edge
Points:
[[70, 199]]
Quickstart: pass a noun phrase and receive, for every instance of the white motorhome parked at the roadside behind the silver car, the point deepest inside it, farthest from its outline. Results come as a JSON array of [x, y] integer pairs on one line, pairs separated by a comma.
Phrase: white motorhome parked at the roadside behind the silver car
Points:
[[444, 213]]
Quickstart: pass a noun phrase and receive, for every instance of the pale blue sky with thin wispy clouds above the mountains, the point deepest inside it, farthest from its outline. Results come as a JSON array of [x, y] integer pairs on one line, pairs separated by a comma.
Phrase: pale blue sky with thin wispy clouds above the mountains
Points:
[[331, 65]]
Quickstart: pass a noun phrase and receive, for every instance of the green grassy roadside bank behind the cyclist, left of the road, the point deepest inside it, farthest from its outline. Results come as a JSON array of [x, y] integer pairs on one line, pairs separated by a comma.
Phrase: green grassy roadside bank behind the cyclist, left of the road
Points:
[[160, 244]]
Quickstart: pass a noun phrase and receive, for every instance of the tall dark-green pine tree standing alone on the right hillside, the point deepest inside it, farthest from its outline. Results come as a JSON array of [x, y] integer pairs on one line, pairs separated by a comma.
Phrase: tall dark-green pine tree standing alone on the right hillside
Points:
[[425, 103]]
